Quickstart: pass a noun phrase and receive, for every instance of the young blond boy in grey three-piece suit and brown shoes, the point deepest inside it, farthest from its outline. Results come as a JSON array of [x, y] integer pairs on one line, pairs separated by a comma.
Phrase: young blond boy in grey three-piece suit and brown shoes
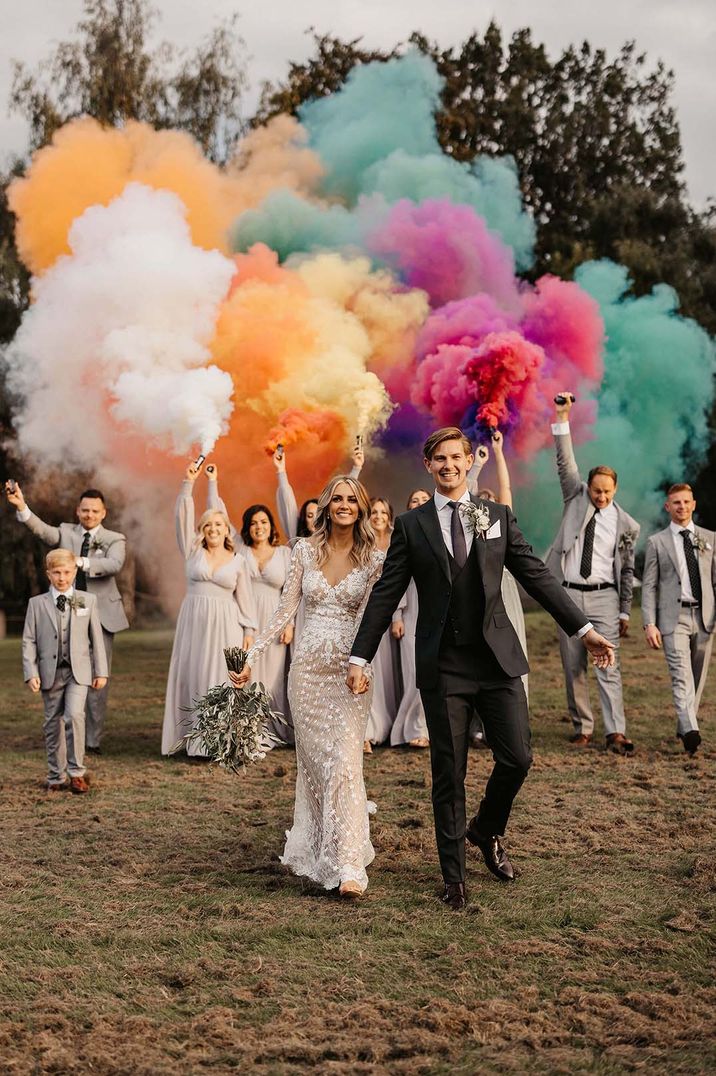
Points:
[[63, 657]]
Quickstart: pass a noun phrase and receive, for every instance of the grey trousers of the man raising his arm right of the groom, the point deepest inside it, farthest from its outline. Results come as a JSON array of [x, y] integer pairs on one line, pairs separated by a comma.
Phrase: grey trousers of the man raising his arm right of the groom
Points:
[[602, 610]]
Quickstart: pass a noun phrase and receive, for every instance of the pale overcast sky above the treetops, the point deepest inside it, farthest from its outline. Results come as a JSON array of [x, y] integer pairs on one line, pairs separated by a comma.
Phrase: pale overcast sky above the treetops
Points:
[[681, 33]]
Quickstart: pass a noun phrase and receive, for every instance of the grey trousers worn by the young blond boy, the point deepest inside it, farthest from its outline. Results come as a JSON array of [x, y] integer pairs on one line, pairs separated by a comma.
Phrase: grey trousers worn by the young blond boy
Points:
[[65, 727]]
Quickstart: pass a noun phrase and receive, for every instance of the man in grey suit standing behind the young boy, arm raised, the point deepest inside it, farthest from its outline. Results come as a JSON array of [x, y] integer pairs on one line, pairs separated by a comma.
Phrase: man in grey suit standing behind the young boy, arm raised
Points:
[[100, 557]]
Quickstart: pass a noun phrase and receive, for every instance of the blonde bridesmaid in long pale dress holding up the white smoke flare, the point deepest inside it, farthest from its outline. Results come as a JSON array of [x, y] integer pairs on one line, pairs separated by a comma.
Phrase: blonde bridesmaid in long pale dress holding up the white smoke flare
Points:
[[219, 611]]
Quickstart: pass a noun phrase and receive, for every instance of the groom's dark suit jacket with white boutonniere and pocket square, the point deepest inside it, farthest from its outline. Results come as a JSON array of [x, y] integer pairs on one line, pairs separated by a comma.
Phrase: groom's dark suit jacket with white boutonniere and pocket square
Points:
[[418, 551]]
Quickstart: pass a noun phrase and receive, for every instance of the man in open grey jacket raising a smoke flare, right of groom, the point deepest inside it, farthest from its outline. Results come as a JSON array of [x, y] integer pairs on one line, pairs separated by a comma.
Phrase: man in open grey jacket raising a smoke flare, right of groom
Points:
[[594, 557]]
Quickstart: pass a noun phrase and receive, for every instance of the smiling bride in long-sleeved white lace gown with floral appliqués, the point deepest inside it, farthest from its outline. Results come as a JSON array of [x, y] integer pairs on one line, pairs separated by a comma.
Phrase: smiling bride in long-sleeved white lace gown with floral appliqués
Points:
[[333, 571]]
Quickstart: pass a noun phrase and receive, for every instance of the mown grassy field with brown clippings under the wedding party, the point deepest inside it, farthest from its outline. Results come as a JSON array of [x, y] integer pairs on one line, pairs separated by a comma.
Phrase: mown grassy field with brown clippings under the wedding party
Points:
[[149, 929]]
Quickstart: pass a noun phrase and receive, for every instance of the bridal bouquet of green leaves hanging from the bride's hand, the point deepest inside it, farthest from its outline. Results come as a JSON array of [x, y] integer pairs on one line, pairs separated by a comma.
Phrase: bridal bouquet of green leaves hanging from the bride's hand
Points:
[[232, 724]]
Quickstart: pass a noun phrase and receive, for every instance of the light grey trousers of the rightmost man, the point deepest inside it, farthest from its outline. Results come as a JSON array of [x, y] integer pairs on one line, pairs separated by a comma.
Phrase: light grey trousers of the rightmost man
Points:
[[689, 653]]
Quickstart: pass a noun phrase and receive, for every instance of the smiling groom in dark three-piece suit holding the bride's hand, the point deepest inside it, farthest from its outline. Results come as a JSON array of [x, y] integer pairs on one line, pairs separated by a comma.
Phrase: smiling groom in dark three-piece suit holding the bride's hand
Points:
[[468, 654]]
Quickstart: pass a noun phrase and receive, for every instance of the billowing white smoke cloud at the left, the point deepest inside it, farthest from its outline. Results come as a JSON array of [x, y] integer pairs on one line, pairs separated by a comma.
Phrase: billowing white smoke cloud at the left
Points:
[[116, 344]]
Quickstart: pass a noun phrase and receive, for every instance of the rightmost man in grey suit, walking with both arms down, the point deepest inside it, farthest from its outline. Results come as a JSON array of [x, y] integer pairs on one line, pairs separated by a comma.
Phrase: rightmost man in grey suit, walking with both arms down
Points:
[[679, 606]]
